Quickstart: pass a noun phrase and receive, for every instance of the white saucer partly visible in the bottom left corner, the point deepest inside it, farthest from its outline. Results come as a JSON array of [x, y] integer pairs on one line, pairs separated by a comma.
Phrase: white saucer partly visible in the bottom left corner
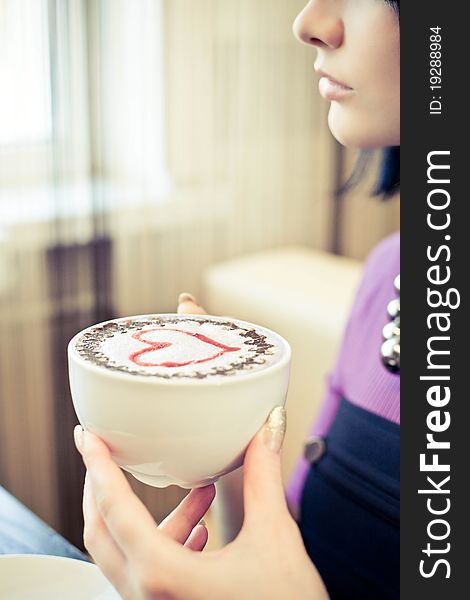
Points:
[[38, 577]]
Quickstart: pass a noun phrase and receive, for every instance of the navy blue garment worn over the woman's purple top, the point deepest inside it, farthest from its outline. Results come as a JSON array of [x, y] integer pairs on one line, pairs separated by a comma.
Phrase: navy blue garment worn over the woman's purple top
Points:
[[350, 507]]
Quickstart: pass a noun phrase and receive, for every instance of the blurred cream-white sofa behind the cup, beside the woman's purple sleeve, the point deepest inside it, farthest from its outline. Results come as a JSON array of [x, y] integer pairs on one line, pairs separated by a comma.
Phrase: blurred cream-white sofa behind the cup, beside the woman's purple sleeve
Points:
[[304, 295]]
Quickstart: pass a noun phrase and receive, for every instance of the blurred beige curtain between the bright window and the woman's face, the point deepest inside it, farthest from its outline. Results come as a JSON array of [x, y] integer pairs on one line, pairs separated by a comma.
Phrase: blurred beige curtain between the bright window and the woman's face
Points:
[[250, 159]]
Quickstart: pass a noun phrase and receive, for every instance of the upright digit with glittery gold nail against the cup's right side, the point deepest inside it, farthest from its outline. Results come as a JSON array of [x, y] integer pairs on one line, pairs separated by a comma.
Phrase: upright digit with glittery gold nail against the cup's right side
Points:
[[262, 483]]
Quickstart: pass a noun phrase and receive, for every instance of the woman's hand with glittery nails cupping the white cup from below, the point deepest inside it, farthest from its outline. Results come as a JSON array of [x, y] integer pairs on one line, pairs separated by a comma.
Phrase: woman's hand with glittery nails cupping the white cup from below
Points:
[[266, 560]]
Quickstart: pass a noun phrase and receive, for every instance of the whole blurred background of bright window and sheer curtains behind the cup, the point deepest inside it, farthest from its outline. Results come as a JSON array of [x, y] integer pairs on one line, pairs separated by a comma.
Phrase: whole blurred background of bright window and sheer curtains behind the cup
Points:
[[140, 143]]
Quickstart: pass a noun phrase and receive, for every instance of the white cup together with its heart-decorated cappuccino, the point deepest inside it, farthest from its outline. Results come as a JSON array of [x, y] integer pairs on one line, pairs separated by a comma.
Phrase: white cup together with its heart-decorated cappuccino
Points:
[[177, 398]]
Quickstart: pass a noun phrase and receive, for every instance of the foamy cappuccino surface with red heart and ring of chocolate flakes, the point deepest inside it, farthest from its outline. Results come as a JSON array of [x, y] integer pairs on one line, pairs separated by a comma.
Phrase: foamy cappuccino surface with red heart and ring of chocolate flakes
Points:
[[175, 347]]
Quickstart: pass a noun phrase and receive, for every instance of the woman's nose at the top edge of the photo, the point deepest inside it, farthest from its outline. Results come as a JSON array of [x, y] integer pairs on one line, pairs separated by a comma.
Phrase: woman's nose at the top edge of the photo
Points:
[[320, 24]]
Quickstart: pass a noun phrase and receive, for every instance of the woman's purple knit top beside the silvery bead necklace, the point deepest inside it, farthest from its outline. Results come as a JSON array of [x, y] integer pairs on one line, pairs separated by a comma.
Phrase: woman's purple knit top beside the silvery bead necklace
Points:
[[359, 375]]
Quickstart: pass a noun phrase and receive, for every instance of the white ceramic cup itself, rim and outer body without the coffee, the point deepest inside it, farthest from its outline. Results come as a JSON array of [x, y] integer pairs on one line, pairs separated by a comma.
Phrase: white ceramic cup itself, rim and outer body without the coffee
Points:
[[181, 431]]
